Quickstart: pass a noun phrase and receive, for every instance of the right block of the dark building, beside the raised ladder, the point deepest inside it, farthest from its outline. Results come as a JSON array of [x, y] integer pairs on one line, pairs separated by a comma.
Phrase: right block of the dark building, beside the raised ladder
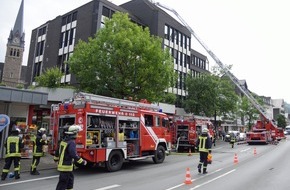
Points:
[[176, 37]]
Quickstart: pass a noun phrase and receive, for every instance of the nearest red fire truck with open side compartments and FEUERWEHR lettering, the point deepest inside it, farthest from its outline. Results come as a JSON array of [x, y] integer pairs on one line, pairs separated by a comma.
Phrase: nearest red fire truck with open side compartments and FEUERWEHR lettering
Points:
[[112, 130]]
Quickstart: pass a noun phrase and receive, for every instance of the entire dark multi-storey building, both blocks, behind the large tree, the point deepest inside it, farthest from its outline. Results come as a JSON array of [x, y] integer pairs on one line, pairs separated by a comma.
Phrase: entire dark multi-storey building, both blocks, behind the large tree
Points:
[[53, 42]]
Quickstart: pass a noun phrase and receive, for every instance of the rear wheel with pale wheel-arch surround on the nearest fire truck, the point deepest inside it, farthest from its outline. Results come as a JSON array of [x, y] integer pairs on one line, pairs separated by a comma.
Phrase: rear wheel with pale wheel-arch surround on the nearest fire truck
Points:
[[115, 159]]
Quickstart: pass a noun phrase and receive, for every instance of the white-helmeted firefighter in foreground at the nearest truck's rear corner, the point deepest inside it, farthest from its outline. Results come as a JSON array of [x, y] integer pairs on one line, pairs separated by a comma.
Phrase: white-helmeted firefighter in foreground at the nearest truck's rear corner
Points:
[[65, 156]]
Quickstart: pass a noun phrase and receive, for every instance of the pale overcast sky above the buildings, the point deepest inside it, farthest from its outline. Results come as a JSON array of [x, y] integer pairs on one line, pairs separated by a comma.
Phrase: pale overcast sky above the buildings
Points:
[[251, 35]]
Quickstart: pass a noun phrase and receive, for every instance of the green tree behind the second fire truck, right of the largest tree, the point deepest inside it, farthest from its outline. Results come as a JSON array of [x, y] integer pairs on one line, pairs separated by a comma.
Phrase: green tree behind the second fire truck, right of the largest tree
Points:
[[210, 95]]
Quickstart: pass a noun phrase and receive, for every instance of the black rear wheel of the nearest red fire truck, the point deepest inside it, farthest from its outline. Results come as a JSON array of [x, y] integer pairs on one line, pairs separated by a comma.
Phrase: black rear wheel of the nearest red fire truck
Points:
[[115, 161]]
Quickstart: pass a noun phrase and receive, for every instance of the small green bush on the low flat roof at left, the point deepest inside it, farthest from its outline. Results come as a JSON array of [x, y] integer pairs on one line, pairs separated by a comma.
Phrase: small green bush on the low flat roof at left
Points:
[[50, 78]]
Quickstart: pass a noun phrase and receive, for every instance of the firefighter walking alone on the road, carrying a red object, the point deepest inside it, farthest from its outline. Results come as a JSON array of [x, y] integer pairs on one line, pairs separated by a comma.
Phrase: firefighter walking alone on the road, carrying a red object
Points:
[[203, 144]]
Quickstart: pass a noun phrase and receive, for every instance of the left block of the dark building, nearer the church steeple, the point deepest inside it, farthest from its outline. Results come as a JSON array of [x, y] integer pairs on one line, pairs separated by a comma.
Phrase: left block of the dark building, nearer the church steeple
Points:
[[53, 42]]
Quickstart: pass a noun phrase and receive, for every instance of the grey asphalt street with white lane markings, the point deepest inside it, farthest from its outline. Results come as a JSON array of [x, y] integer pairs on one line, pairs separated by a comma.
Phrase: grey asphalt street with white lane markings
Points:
[[267, 169]]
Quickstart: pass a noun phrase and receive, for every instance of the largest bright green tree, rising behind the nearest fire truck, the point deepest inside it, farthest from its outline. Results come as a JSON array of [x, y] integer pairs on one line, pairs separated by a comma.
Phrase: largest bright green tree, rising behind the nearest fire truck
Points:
[[123, 60]]
